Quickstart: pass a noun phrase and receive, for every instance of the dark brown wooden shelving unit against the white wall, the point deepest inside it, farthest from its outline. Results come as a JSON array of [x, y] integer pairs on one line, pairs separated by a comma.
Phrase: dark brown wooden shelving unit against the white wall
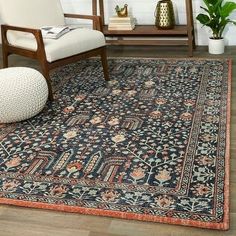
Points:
[[180, 35]]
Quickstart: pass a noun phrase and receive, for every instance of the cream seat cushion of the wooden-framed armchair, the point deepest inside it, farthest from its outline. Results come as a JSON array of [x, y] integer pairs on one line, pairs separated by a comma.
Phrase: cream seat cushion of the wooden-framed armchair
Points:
[[74, 42]]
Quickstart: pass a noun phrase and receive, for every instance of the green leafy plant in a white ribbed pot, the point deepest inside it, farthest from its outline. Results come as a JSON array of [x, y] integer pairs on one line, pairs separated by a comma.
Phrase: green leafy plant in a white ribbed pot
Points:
[[216, 18]]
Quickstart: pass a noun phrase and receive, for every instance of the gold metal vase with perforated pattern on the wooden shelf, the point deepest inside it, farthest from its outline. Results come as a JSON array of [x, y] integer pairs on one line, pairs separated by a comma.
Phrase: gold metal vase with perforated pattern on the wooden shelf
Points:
[[165, 17]]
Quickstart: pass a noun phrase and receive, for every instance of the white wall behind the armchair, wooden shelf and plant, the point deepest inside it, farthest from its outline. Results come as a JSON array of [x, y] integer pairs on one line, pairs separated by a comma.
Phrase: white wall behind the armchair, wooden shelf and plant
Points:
[[143, 11]]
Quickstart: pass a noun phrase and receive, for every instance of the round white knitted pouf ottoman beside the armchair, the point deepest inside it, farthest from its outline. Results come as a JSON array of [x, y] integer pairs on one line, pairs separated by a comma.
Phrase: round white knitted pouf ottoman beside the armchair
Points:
[[23, 93]]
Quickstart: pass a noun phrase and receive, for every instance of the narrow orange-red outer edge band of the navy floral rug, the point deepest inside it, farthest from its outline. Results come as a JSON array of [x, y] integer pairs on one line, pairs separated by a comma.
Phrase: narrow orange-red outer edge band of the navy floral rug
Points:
[[144, 217]]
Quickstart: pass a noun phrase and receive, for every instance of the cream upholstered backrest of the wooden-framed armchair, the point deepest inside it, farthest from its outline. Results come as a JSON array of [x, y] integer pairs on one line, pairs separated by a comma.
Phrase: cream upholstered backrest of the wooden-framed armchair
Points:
[[31, 13]]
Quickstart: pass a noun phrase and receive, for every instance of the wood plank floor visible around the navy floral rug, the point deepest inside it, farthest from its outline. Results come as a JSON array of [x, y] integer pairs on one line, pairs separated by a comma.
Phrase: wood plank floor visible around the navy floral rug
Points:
[[16, 221]]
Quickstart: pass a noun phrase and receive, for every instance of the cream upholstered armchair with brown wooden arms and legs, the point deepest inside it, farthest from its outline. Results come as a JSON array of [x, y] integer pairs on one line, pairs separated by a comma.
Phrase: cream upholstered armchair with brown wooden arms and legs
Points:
[[21, 35]]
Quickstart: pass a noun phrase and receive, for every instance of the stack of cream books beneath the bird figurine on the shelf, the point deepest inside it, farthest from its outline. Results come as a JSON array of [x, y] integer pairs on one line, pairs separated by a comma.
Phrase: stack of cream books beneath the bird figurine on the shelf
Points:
[[121, 23]]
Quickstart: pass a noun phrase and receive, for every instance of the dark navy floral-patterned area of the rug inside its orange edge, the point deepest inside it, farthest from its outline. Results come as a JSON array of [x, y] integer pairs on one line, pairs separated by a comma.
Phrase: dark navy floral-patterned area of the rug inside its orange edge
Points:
[[151, 141]]
